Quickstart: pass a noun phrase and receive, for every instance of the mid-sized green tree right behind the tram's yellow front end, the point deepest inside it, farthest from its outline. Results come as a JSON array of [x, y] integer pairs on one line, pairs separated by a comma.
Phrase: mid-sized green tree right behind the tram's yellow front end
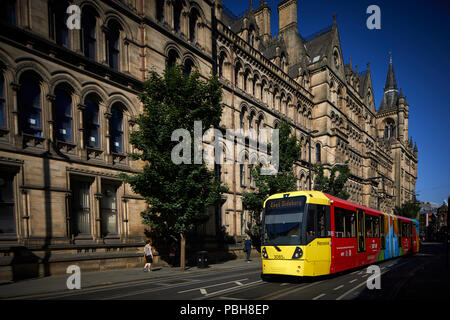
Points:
[[266, 185]]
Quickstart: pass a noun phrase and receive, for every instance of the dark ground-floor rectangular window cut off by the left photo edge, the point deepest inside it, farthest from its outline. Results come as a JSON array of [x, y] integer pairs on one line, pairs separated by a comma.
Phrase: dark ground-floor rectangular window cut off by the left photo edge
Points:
[[7, 216]]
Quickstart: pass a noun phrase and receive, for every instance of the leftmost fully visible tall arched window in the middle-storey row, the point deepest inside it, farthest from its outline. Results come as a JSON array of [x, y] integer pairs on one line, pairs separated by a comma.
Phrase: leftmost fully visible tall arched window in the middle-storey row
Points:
[[30, 107]]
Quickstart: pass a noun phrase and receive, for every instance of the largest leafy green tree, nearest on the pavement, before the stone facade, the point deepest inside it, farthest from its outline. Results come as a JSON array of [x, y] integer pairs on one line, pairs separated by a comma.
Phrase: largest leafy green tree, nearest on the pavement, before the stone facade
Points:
[[177, 195]]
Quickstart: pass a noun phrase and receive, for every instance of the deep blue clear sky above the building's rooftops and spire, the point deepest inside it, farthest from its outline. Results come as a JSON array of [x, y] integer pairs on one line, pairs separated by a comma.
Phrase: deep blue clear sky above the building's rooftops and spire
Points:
[[417, 33]]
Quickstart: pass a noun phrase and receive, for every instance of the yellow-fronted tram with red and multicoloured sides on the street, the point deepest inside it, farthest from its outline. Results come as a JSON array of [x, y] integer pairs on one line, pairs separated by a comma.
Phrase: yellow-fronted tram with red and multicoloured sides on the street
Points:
[[310, 233]]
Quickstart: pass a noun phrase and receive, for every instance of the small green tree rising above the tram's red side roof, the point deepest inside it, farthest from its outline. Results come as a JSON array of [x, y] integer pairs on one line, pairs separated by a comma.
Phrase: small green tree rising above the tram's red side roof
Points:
[[334, 184]]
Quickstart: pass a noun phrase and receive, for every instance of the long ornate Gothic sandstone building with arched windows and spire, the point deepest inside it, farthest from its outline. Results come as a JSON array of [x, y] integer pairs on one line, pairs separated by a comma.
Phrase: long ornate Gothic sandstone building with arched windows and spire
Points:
[[68, 99]]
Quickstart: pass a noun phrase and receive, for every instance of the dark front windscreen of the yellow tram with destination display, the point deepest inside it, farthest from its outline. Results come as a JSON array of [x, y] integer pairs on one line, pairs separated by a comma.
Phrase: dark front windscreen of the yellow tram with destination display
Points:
[[283, 220]]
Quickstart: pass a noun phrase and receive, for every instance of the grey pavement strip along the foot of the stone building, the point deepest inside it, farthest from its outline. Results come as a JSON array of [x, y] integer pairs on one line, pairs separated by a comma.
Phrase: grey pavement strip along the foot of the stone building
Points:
[[58, 283]]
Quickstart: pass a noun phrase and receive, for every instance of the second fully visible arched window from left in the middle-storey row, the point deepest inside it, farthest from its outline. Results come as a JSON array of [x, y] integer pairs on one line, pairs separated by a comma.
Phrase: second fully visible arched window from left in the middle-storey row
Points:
[[63, 115]]
